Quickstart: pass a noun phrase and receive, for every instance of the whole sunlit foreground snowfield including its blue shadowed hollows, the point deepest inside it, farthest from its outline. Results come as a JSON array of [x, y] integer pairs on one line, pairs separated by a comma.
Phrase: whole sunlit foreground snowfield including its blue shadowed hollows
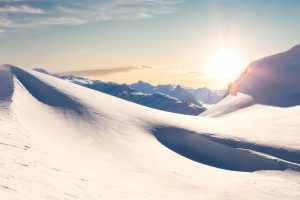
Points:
[[59, 140]]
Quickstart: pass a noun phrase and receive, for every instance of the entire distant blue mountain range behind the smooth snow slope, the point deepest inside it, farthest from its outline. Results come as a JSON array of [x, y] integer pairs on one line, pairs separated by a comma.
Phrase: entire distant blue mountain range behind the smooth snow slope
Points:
[[169, 98]]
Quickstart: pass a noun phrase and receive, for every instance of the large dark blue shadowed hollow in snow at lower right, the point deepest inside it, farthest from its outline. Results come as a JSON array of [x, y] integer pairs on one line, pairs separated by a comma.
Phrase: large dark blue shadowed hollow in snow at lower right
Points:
[[225, 153]]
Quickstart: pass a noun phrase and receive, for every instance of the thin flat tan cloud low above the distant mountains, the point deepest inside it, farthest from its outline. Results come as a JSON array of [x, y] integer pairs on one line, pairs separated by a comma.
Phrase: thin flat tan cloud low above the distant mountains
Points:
[[103, 72]]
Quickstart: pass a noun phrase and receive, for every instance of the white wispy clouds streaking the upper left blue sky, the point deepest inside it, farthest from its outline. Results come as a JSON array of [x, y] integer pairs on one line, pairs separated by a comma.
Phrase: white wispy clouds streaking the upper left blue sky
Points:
[[23, 14]]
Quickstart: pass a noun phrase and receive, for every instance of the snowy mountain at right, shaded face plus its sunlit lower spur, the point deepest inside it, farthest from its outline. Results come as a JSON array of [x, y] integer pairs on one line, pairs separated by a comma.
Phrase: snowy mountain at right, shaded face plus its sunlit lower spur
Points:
[[272, 81]]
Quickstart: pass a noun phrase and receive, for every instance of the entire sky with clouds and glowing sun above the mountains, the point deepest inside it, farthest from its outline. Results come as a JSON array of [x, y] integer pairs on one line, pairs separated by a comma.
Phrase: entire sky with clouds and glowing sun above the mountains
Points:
[[190, 42]]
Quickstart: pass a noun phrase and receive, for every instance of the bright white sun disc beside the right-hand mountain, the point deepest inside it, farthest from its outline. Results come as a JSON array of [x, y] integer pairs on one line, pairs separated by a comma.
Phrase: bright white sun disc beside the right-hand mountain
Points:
[[225, 64]]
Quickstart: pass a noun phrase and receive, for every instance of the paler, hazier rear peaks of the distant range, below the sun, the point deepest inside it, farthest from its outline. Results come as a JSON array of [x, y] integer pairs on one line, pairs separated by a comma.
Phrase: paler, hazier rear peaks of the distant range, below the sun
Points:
[[195, 96]]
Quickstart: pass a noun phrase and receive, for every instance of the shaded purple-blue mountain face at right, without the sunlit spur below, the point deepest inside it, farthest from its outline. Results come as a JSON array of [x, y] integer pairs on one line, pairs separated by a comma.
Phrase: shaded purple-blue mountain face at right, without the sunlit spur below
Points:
[[273, 80]]
